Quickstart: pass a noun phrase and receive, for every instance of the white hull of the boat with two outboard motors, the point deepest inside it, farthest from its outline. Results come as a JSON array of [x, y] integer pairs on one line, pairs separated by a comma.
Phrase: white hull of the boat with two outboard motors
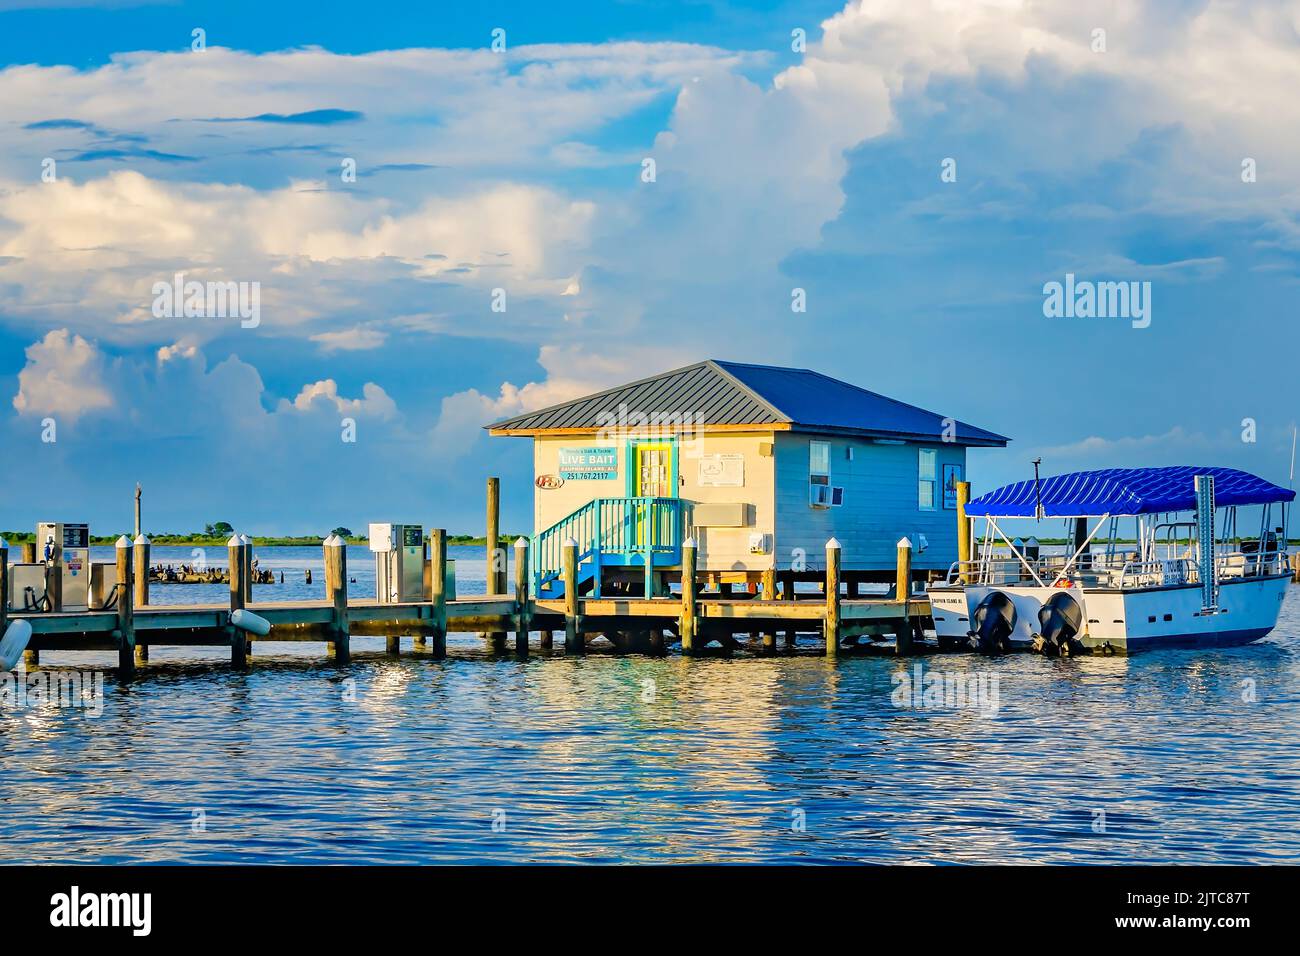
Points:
[[1129, 621]]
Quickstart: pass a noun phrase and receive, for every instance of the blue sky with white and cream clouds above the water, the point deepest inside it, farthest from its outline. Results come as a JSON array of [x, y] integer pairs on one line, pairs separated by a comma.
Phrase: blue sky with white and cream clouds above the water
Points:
[[921, 170]]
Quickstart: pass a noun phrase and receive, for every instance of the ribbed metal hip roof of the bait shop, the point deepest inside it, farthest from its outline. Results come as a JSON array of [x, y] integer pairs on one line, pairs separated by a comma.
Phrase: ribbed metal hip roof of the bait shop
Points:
[[738, 395]]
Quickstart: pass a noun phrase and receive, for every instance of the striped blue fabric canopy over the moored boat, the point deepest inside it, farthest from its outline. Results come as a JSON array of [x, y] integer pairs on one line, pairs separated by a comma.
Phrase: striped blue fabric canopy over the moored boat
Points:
[[1124, 492]]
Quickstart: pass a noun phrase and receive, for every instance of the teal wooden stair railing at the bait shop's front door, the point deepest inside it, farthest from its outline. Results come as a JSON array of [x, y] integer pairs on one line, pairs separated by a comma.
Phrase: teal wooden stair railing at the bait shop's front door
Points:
[[610, 533]]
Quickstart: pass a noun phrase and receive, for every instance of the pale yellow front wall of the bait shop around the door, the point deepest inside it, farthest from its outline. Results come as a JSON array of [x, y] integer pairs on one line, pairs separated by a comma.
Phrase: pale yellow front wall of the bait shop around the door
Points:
[[720, 548]]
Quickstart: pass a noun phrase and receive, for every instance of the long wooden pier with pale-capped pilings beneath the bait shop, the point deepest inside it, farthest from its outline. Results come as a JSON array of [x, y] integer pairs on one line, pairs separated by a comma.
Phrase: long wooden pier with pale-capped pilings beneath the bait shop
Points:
[[697, 617]]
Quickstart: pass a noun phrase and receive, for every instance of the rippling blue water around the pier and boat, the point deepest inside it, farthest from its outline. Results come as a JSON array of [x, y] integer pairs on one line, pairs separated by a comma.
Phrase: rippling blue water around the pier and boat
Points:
[[640, 760]]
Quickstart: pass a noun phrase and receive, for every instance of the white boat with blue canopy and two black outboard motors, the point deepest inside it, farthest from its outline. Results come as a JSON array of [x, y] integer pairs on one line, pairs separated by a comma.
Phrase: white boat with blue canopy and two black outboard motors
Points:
[[1178, 576]]
